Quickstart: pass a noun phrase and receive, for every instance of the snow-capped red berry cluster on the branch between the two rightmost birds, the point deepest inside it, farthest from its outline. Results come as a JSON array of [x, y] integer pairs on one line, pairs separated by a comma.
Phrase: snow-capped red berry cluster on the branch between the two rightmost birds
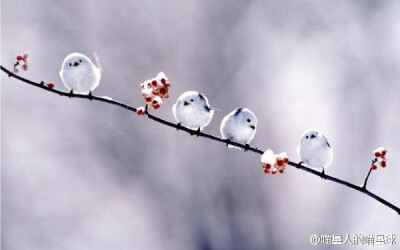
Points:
[[273, 163]]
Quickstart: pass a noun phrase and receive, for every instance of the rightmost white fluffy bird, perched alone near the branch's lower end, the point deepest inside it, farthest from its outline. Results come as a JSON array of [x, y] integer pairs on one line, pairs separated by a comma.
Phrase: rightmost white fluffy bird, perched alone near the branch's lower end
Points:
[[314, 150]]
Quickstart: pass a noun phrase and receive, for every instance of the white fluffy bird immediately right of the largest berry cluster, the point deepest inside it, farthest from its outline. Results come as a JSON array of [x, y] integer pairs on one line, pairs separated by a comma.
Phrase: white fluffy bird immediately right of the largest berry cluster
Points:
[[192, 110]]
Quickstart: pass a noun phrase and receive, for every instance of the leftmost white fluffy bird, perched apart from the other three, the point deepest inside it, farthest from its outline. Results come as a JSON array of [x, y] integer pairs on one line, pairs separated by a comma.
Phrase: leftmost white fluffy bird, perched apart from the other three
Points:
[[79, 74]]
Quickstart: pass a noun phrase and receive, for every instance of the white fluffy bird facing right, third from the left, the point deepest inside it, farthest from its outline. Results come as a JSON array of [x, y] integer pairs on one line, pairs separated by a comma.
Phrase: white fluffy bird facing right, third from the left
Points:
[[239, 126]]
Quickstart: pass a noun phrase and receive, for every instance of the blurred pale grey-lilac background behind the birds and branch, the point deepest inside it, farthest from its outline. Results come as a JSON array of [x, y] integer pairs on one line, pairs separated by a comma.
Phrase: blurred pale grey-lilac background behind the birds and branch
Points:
[[86, 175]]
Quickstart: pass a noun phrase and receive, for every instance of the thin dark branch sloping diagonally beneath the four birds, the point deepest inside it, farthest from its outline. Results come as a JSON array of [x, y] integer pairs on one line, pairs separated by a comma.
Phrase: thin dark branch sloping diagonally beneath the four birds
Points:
[[361, 189]]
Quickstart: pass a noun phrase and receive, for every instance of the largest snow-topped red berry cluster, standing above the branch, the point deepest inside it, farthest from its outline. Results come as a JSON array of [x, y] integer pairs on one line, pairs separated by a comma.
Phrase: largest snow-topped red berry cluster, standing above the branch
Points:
[[156, 90]]
